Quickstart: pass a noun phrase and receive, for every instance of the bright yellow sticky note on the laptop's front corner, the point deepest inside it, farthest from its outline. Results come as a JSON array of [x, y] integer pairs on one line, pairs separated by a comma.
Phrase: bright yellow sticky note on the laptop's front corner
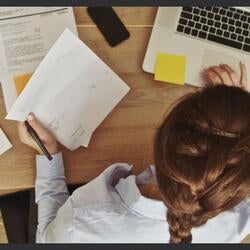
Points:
[[170, 68]]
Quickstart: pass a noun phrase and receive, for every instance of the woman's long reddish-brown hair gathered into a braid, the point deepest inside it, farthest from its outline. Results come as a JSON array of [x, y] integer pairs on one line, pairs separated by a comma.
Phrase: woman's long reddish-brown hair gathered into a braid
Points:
[[202, 157]]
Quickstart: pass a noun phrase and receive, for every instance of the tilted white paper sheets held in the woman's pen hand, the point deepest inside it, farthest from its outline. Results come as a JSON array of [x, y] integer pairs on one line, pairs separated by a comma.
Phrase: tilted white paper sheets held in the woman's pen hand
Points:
[[71, 92]]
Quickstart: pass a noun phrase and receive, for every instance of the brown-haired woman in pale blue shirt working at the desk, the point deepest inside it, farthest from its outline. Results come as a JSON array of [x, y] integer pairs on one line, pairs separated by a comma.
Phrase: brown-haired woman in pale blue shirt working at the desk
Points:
[[199, 188]]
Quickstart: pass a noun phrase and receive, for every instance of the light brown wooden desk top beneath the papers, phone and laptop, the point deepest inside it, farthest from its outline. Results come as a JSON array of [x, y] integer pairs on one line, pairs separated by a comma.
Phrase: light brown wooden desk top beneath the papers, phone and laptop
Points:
[[127, 133]]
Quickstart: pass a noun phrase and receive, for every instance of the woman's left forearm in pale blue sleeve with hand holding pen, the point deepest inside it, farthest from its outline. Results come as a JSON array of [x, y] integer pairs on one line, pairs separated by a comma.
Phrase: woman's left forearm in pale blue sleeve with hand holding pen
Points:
[[50, 187]]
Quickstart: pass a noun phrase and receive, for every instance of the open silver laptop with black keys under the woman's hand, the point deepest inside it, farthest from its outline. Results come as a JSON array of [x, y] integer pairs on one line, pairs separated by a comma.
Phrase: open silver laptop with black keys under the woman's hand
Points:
[[206, 36]]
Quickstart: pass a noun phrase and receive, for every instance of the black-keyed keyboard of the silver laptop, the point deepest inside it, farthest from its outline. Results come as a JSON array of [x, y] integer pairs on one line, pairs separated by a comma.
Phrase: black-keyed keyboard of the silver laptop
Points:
[[225, 25]]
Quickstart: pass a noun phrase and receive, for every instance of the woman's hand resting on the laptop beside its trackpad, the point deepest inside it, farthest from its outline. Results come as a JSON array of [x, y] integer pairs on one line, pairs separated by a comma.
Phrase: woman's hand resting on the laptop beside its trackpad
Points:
[[223, 74]]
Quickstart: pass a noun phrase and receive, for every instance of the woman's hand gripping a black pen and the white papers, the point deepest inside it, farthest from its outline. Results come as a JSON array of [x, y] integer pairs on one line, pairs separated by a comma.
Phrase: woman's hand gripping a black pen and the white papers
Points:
[[46, 136]]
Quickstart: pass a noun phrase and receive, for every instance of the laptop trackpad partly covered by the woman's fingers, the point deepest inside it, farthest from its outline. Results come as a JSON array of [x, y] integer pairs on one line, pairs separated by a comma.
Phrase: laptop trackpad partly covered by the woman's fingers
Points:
[[215, 58]]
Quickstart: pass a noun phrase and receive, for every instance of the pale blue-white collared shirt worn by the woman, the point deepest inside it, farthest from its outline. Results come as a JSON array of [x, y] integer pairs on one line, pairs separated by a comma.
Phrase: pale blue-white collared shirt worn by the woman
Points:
[[111, 209]]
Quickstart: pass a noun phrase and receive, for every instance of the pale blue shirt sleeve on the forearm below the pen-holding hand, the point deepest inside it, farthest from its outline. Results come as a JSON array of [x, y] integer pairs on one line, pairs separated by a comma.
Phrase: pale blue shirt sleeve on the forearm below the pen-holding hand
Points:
[[50, 188]]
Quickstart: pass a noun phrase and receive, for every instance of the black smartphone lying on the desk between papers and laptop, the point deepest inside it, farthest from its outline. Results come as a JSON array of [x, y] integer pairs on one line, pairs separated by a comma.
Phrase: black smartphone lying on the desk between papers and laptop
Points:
[[109, 24]]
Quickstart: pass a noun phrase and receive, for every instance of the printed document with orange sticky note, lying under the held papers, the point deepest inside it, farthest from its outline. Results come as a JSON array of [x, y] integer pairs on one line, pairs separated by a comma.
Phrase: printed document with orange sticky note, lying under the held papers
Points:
[[26, 35]]
